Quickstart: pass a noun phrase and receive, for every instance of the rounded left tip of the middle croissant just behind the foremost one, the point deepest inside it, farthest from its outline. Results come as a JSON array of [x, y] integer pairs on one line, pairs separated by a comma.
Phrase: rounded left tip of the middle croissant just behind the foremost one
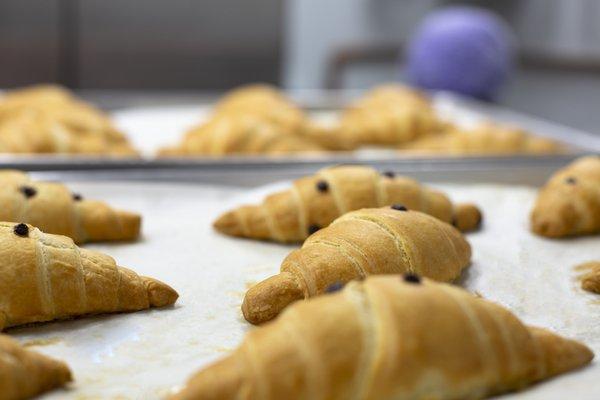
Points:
[[267, 299]]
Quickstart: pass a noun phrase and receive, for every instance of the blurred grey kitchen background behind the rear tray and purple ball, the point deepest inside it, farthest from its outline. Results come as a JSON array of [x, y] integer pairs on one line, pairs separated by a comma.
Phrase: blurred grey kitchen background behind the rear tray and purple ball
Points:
[[158, 51]]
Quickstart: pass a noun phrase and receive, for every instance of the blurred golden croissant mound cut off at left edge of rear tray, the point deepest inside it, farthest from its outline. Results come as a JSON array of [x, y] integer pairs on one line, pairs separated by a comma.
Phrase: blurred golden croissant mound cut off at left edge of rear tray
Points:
[[48, 119]]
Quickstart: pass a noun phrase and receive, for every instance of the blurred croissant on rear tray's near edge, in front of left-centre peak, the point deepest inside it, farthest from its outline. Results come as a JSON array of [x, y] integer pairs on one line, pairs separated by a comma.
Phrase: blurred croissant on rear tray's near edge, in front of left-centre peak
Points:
[[240, 134]]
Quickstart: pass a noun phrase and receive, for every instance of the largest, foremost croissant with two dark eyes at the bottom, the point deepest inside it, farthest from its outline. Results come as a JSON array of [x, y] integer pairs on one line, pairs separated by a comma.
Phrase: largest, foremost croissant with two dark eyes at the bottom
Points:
[[388, 338]]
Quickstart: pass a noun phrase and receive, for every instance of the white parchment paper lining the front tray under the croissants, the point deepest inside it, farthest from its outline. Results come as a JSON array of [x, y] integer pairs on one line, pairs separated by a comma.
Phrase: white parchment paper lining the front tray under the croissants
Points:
[[145, 355]]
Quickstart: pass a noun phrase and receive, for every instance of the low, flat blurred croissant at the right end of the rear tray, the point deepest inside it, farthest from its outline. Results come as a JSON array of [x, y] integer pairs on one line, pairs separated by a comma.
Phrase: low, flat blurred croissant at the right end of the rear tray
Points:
[[485, 139]]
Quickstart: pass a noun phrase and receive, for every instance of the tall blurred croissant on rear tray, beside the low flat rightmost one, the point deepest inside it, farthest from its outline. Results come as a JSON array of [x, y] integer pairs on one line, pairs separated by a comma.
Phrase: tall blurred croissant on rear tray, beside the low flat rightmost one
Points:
[[389, 115]]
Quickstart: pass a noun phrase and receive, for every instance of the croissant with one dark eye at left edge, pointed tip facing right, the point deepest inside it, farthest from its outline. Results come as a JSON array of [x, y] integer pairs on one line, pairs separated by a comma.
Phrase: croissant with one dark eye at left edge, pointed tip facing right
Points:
[[46, 277]]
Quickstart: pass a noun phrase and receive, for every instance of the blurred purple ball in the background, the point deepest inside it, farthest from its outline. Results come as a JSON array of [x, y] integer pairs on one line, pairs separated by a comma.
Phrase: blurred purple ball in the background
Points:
[[461, 49]]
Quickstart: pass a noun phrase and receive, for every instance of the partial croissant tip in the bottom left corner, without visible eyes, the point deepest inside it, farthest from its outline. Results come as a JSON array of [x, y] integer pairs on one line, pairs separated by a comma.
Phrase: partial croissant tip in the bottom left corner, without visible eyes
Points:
[[24, 374]]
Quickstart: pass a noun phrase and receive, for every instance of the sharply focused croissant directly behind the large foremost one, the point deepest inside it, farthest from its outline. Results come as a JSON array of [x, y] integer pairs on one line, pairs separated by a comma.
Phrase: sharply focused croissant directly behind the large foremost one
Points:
[[360, 243]]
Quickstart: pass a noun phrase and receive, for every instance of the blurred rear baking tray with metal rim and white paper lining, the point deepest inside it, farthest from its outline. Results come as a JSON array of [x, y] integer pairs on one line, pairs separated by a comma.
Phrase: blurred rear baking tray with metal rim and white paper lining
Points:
[[150, 128]]
